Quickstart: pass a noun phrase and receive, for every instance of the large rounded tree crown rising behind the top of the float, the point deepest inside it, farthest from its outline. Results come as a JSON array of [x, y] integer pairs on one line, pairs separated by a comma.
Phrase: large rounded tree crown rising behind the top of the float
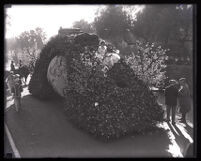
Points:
[[111, 23]]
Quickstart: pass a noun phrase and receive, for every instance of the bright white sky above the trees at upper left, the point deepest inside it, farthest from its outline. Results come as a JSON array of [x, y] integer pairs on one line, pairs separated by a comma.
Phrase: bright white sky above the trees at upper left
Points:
[[48, 17]]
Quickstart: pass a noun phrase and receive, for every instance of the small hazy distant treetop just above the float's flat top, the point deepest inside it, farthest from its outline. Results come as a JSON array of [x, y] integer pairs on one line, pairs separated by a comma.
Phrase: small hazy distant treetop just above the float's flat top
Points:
[[84, 26]]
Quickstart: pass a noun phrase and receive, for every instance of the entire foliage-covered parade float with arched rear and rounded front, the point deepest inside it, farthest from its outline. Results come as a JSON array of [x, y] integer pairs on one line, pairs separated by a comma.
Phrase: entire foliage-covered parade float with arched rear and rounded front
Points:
[[108, 101]]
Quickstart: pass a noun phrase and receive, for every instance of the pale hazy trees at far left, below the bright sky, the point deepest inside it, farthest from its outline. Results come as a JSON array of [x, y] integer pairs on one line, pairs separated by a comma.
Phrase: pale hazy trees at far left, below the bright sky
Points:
[[26, 46]]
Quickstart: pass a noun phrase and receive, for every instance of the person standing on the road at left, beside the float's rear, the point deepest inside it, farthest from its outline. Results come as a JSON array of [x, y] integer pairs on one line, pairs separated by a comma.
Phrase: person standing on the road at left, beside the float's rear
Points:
[[16, 90]]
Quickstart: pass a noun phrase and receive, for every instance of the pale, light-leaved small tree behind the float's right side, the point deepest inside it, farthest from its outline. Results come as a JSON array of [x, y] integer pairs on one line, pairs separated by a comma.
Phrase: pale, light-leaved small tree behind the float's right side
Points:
[[148, 62]]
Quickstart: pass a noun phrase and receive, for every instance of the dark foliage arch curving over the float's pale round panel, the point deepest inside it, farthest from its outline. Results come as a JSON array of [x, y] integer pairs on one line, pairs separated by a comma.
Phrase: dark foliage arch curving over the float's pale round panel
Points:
[[67, 46]]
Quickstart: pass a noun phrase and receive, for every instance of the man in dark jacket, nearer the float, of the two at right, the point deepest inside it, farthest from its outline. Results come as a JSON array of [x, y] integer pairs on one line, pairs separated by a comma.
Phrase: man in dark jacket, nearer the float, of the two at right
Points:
[[171, 94]]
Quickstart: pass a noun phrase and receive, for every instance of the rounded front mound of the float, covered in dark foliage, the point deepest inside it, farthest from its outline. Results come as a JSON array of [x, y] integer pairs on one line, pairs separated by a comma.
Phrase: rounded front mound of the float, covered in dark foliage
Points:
[[110, 102]]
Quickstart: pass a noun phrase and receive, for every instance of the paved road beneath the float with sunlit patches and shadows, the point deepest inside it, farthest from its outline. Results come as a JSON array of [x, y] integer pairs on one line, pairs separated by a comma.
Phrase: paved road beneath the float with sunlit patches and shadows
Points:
[[41, 129]]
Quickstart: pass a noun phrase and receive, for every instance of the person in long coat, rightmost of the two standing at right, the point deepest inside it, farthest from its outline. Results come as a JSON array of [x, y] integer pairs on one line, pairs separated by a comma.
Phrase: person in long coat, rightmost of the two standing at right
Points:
[[184, 99]]
